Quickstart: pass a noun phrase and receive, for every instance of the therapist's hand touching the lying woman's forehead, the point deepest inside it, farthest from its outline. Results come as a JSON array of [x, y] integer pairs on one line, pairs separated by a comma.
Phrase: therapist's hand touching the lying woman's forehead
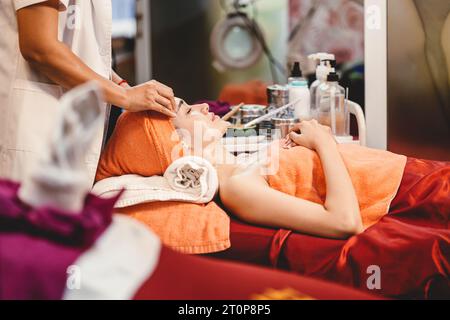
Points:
[[151, 95]]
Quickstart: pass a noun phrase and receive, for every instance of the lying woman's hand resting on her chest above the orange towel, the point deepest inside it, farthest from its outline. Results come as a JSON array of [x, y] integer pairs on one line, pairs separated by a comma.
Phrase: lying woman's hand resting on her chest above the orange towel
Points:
[[311, 136]]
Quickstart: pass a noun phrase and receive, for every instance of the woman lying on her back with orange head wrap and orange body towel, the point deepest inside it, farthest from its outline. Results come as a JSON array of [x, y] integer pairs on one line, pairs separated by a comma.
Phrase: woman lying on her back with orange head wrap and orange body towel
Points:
[[307, 182]]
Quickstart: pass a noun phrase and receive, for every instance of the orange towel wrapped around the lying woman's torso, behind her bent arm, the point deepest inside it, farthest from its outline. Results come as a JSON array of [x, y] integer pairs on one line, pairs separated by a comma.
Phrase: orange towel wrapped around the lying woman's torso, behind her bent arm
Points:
[[375, 174]]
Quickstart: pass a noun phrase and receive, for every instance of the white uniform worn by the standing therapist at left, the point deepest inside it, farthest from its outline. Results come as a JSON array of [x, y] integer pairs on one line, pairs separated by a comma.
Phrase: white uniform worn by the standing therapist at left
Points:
[[28, 100]]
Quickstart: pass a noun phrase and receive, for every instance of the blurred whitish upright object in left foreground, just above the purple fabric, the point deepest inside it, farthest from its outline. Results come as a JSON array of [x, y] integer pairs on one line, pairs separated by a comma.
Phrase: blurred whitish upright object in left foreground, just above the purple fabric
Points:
[[59, 178]]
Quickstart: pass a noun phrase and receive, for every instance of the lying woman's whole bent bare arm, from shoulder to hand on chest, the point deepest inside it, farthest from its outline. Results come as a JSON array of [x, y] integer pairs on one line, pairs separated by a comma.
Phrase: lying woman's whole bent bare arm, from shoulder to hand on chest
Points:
[[252, 199]]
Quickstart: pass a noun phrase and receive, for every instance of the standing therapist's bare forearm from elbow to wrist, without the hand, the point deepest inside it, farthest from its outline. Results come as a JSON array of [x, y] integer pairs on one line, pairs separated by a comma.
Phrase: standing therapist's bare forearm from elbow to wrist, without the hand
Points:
[[63, 67]]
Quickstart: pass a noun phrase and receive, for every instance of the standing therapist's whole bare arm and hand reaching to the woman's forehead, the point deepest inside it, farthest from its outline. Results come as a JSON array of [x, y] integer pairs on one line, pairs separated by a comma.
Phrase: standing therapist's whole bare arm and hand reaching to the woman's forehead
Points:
[[39, 45]]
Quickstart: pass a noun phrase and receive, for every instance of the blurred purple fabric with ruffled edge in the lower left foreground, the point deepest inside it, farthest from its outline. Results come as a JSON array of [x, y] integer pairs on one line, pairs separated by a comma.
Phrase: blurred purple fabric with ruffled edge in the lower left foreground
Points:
[[37, 245]]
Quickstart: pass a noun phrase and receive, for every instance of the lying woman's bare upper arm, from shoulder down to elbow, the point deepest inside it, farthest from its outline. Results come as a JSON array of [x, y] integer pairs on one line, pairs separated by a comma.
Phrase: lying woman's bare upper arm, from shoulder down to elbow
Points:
[[254, 201]]
